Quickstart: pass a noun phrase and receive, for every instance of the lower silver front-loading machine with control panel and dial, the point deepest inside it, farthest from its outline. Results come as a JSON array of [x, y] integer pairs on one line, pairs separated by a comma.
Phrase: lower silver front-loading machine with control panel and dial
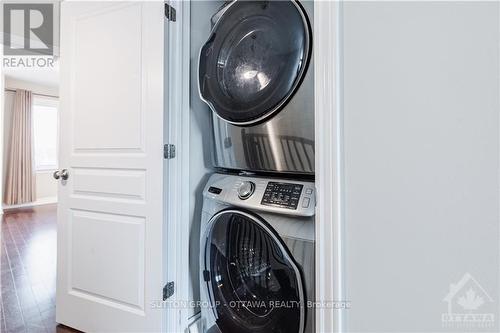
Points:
[[257, 255]]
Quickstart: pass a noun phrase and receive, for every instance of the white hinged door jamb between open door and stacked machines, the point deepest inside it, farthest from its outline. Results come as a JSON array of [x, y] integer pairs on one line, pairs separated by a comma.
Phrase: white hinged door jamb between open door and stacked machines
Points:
[[177, 196]]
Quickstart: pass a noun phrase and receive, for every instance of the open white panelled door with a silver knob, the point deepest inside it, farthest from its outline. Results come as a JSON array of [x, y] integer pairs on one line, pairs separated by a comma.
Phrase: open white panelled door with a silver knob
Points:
[[110, 212]]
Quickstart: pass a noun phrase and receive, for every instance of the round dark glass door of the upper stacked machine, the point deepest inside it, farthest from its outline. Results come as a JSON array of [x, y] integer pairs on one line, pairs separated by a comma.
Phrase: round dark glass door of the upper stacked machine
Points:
[[254, 60]]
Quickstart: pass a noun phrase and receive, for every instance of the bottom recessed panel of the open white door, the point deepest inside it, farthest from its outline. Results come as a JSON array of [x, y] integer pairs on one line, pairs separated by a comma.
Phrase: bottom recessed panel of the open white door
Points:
[[124, 279]]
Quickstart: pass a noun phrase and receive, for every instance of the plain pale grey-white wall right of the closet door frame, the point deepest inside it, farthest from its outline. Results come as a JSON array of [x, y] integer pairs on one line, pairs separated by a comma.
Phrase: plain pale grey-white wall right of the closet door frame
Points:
[[421, 126]]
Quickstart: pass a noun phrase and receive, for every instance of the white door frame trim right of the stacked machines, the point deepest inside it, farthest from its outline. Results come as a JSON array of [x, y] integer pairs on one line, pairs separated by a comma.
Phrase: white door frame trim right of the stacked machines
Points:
[[329, 161]]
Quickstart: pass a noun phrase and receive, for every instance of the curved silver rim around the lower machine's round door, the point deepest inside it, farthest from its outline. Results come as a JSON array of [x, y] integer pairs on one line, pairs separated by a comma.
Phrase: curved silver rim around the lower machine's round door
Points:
[[271, 233]]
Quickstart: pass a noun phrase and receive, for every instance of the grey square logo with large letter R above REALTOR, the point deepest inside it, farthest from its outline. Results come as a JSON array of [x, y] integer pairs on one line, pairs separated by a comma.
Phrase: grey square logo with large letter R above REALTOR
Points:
[[28, 29]]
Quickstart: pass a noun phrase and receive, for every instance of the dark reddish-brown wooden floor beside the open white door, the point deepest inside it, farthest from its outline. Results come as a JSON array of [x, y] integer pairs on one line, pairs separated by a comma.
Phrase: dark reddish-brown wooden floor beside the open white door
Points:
[[28, 271]]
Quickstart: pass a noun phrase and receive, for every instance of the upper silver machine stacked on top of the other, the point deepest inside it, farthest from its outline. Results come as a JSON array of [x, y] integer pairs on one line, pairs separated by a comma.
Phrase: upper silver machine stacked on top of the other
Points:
[[256, 75]]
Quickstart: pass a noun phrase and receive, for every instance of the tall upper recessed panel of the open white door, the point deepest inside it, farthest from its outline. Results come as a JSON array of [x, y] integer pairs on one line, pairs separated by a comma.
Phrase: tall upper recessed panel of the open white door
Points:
[[115, 54]]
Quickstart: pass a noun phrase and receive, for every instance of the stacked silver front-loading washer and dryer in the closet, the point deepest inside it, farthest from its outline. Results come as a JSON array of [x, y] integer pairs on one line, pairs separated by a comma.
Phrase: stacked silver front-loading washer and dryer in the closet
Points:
[[257, 228]]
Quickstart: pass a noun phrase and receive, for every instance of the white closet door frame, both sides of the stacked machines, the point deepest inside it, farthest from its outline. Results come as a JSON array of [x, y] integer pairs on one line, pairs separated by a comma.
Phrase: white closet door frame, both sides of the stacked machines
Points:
[[328, 161]]
